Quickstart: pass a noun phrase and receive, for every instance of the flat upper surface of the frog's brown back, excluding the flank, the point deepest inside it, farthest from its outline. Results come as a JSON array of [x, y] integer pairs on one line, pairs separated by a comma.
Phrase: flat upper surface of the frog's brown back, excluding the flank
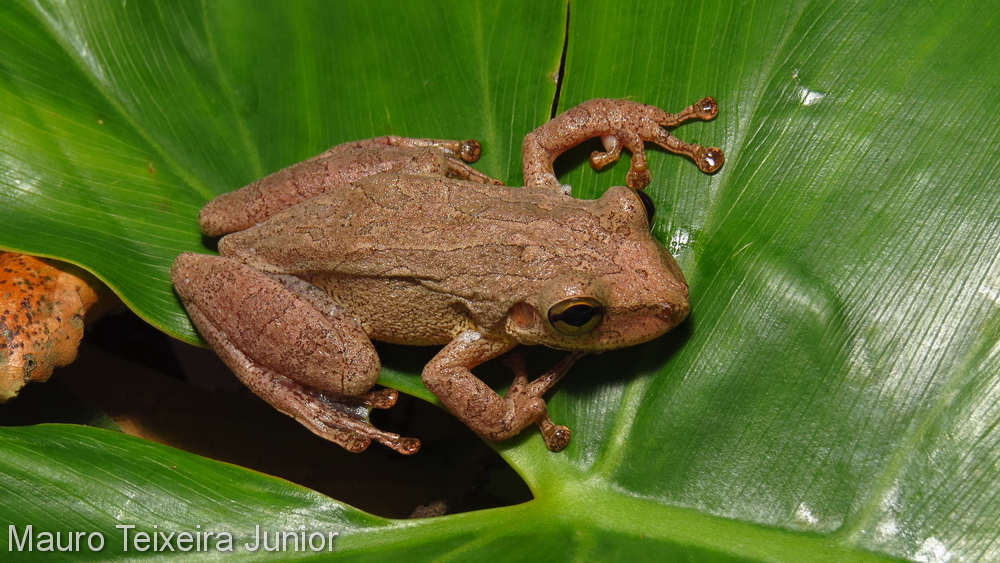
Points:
[[425, 228]]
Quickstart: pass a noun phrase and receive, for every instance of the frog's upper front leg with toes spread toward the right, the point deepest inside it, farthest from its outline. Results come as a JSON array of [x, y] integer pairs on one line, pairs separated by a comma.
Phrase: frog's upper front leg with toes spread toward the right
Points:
[[619, 123]]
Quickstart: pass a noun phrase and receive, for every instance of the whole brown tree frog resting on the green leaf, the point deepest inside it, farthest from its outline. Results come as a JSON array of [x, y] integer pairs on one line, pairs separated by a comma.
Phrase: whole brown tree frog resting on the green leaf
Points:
[[399, 240]]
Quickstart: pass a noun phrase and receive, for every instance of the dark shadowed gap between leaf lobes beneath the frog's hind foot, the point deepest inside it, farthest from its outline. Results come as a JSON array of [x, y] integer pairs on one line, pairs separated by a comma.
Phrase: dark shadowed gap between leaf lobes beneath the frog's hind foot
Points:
[[455, 470]]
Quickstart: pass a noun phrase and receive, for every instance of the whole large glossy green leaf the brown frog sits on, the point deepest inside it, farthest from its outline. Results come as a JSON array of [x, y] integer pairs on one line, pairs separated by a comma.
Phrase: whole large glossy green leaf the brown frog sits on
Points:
[[834, 395]]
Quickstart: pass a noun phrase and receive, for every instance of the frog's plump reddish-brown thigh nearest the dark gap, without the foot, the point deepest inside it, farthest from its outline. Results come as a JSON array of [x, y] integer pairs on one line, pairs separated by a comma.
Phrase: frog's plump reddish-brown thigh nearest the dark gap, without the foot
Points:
[[276, 329]]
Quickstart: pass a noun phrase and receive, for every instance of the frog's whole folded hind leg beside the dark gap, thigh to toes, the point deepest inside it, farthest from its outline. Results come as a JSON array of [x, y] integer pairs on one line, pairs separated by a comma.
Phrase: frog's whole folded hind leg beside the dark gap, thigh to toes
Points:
[[291, 345]]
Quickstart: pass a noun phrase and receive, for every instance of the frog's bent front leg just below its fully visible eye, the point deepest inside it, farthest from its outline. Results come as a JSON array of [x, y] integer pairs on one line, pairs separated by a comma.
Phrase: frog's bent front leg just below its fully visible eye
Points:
[[448, 376]]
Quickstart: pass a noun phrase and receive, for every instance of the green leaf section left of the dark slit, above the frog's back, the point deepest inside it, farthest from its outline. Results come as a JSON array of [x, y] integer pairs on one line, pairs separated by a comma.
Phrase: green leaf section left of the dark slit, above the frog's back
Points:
[[122, 120]]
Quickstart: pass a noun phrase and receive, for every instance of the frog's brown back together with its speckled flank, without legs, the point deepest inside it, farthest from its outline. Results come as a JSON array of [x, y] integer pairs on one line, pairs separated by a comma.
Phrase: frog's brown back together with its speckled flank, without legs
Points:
[[418, 259]]
